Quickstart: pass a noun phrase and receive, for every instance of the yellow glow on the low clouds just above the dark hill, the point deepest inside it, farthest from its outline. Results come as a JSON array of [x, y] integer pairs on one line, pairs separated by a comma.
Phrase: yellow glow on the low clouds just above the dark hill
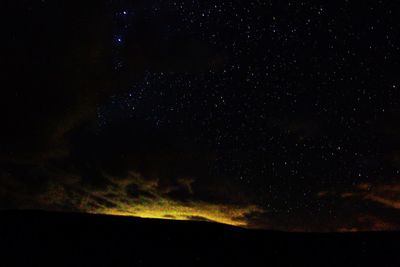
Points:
[[114, 200]]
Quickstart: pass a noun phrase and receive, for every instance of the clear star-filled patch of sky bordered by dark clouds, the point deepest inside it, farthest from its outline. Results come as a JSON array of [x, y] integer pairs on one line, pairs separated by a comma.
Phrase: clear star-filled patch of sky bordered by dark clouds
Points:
[[295, 105]]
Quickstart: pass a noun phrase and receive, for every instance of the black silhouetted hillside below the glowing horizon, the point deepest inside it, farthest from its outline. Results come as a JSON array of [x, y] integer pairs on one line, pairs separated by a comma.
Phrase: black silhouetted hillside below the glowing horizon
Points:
[[30, 238]]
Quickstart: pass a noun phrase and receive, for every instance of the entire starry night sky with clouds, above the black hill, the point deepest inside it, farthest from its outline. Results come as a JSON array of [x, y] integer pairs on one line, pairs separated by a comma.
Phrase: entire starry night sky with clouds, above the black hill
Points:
[[264, 114]]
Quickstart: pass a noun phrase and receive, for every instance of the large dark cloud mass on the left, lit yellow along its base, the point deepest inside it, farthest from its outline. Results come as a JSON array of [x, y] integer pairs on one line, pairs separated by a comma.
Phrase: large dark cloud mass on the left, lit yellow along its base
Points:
[[53, 156]]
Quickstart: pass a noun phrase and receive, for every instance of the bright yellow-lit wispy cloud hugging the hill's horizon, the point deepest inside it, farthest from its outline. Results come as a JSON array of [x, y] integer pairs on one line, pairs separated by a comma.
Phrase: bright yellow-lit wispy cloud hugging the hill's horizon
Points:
[[153, 201]]
